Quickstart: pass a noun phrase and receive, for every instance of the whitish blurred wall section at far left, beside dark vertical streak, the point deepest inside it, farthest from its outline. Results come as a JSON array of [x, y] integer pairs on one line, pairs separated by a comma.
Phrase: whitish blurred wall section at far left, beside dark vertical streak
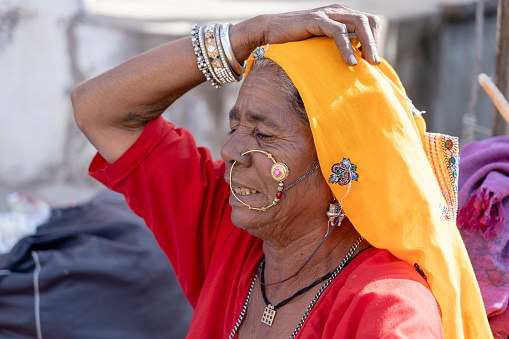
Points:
[[35, 78]]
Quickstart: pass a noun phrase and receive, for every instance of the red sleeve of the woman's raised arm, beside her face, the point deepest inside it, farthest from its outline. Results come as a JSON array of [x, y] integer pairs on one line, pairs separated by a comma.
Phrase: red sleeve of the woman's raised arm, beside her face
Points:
[[181, 194]]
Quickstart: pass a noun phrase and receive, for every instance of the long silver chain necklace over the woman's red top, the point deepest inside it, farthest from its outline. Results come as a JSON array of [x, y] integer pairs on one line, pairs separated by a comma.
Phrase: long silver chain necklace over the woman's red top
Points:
[[313, 302]]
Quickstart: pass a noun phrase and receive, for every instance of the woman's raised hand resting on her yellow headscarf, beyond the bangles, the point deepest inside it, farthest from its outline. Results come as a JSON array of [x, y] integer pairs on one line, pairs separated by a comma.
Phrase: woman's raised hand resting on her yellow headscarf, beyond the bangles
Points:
[[334, 21]]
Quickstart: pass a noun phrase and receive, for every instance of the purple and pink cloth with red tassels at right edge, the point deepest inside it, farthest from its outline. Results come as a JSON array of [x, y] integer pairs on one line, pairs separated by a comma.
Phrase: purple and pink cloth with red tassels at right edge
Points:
[[483, 220]]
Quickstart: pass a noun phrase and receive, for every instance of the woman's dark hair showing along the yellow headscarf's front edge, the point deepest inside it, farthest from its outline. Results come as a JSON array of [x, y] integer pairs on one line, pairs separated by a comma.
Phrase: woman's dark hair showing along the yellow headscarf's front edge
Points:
[[286, 85]]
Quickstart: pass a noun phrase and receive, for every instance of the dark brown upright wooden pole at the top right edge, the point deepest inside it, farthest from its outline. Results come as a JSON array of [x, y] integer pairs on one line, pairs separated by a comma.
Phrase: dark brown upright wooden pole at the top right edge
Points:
[[502, 65]]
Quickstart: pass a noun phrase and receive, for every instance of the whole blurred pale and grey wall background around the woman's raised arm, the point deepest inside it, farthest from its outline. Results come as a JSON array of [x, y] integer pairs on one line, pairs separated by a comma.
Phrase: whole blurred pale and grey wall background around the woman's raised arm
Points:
[[48, 47]]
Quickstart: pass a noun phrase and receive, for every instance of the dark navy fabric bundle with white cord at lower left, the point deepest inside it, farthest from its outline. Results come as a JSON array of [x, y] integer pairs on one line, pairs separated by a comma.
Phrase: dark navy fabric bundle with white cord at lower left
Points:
[[92, 271]]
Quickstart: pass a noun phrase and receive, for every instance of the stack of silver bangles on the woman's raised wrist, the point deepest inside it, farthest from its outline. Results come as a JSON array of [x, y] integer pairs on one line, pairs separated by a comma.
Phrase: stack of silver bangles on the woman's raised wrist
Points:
[[214, 54]]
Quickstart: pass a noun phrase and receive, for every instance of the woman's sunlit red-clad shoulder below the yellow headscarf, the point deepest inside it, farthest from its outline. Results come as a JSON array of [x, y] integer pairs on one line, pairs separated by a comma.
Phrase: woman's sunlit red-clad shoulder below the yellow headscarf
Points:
[[380, 295]]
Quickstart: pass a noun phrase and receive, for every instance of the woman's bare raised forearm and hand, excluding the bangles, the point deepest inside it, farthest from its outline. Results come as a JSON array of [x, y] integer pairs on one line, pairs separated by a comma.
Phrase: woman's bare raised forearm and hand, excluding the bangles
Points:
[[113, 108]]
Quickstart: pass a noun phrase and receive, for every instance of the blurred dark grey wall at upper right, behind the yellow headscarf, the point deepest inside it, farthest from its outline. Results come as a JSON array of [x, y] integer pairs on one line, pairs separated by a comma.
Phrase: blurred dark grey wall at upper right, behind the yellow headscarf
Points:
[[435, 59]]
